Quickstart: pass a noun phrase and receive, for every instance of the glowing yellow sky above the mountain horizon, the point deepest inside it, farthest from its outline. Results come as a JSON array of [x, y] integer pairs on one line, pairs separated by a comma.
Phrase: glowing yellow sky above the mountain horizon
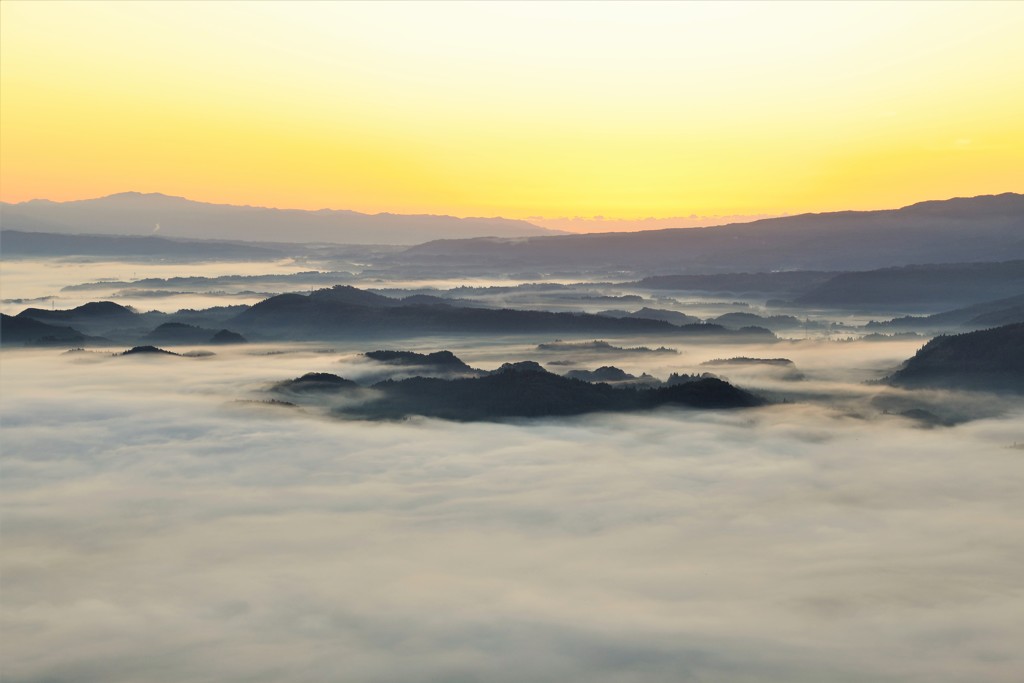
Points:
[[621, 110]]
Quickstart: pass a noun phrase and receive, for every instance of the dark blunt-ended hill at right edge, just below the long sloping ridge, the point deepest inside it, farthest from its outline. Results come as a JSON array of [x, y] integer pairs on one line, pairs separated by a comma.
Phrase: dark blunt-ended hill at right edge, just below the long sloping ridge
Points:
[[930, 285]]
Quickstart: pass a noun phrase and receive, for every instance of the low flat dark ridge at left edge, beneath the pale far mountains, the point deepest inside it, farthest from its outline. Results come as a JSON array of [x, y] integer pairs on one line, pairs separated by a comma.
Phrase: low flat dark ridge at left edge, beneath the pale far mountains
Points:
[[18, 243]]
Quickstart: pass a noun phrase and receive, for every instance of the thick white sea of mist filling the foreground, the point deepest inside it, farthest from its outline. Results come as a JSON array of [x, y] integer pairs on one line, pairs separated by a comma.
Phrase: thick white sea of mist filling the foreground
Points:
[[154, 530]]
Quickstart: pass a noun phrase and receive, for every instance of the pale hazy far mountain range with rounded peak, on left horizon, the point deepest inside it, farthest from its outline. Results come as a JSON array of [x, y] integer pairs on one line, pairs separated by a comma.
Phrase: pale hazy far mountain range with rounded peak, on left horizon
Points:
[[141, 215]]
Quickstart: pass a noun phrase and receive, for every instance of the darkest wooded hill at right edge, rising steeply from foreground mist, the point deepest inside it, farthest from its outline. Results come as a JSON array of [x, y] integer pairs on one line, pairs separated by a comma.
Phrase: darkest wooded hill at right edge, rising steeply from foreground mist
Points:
[[991, 360]]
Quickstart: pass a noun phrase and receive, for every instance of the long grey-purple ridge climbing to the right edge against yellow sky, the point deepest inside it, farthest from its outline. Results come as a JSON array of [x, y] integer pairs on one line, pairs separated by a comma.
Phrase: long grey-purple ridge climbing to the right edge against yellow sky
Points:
[[979, 229]]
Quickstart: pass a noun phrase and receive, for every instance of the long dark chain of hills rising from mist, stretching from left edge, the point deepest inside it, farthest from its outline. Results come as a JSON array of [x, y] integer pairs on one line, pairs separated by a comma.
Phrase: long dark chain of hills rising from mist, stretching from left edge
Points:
[[338, 313]]
